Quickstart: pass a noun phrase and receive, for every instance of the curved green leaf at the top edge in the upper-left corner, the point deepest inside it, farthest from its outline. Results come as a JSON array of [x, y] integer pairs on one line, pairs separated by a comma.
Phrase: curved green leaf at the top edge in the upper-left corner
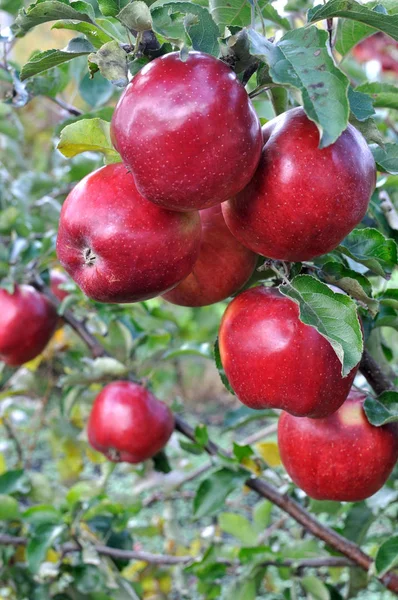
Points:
[[43, 12]]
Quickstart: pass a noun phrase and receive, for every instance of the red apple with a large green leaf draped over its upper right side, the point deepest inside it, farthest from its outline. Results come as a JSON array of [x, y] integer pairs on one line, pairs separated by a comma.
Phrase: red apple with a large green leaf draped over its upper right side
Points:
[[273, 360]]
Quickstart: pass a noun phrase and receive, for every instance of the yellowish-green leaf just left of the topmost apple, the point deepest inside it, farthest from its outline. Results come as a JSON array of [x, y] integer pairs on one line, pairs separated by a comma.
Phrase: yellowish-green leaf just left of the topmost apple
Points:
[[88, 135]]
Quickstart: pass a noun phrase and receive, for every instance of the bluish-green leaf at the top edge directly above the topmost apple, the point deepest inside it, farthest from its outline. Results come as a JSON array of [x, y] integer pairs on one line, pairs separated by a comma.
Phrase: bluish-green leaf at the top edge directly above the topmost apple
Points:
[[202, 30]]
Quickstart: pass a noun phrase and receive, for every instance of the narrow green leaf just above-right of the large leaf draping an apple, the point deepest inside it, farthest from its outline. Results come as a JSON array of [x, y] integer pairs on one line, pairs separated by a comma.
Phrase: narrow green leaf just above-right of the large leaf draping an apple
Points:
[[356, 285]]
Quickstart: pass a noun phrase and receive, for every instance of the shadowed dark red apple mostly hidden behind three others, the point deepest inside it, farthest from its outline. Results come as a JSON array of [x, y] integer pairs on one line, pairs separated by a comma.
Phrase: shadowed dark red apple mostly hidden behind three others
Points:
[[222, 268]]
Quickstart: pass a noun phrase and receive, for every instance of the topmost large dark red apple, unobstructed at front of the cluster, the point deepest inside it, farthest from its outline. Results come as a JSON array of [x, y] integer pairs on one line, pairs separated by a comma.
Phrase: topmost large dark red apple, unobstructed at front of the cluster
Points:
[[188, 131]]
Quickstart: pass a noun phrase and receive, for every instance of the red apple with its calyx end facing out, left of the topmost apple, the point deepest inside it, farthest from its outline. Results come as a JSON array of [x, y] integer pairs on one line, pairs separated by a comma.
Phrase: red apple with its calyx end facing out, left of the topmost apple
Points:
[[119, 247]]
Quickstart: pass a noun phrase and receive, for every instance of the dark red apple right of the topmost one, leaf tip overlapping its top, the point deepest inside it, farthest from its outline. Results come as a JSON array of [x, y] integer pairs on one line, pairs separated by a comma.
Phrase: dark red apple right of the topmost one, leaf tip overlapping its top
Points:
[[302, 201]]
